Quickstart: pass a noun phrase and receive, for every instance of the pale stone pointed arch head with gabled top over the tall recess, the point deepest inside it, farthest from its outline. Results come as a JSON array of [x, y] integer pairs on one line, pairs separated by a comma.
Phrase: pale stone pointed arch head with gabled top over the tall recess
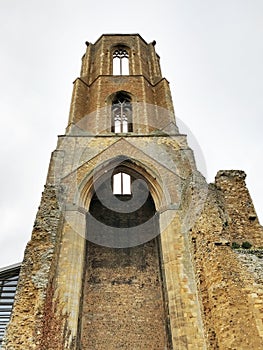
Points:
[[164, 179]]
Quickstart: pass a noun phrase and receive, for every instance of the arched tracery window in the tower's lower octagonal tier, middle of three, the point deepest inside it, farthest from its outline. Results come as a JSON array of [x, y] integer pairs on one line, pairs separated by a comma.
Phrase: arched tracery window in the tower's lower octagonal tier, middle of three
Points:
[[121, 114]]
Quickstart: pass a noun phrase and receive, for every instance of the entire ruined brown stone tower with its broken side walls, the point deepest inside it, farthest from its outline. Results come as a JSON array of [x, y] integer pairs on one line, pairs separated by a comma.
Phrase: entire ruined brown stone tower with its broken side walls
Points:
[[131, 249]]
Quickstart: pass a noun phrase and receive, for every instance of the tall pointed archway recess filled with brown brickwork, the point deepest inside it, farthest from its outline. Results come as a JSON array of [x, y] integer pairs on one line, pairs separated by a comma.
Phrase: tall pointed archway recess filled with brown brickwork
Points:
[[123, 260]]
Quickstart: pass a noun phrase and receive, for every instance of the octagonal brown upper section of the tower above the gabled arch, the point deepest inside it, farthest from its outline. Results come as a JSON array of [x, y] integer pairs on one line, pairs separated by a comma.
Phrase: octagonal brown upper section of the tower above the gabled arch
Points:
[[121, 68]]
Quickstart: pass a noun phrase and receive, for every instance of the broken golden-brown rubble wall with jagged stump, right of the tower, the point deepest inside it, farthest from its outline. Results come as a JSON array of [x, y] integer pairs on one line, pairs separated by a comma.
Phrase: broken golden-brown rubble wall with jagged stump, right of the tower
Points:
[[230, 292]]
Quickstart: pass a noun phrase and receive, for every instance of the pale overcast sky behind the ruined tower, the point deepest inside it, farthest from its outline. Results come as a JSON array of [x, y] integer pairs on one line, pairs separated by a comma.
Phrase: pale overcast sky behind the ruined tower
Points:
[[211, 52]]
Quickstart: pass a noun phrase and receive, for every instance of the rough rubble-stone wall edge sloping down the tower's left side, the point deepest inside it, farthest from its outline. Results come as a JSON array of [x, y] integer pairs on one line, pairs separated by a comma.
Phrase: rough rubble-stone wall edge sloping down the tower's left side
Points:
[[29, 312]]
